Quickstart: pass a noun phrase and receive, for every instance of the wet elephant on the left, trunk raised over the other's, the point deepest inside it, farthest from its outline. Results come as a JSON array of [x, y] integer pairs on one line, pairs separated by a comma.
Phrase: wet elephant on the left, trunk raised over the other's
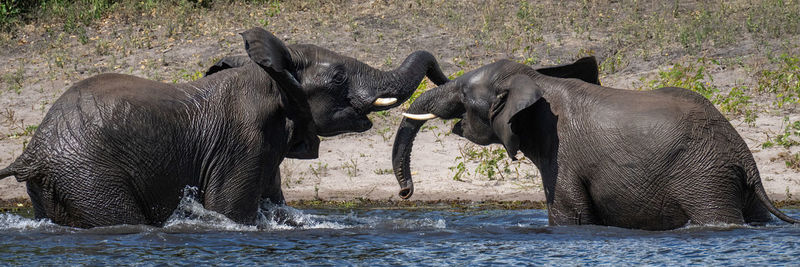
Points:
[[118, 149]]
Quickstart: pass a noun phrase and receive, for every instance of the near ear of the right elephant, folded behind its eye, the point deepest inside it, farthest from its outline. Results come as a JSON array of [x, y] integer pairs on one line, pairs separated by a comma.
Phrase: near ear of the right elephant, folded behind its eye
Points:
[[520, 94]]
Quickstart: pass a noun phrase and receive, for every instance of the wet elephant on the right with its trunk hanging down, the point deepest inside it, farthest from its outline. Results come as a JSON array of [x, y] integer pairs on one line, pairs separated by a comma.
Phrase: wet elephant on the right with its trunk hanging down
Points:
[[653, 160]]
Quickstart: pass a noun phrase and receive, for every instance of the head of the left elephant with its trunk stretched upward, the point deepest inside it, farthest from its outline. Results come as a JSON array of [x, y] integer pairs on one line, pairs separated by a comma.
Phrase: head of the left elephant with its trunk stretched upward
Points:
[[341, 90]]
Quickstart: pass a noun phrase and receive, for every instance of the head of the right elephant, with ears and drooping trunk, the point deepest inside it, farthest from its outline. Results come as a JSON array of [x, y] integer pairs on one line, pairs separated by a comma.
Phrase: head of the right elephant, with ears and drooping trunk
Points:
[[484, 103]]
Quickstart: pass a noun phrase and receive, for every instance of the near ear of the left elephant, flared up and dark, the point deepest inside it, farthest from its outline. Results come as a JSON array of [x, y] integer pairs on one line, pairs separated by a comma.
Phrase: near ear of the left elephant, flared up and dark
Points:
[[271, 54]]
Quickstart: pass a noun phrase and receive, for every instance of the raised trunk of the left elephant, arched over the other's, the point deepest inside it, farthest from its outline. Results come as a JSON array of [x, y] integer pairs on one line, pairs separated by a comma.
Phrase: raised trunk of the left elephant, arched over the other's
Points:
[[401, 82]]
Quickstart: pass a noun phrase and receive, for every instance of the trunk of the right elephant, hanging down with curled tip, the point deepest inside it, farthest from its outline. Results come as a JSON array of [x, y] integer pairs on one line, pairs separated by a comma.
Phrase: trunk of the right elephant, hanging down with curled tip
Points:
[[443, 101]]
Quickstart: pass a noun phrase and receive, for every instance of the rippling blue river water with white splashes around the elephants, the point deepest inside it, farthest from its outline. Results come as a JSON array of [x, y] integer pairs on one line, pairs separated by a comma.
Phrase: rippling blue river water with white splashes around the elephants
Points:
[[392, 237]]
